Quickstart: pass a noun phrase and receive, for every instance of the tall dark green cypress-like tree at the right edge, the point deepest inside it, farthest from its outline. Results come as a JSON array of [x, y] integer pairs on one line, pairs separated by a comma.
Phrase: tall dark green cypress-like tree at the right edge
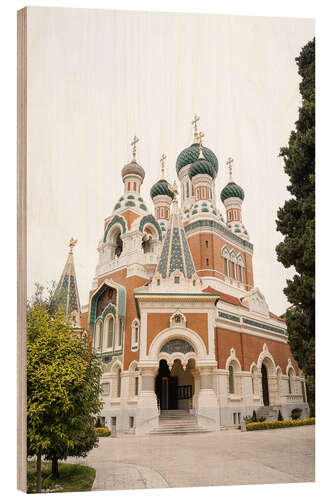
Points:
[[296, 221]]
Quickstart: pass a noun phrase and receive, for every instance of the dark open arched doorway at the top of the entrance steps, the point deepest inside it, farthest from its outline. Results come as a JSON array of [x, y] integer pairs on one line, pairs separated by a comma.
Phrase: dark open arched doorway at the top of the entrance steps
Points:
[[175, 388]]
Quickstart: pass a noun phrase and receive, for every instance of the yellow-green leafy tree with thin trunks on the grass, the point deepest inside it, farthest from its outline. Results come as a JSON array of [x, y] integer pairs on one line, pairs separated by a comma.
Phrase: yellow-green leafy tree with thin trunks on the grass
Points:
[[63, 386]]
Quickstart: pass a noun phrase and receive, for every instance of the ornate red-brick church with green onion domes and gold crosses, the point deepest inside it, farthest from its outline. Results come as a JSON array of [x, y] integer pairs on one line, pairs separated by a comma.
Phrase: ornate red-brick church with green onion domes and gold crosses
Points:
[[187, 340]]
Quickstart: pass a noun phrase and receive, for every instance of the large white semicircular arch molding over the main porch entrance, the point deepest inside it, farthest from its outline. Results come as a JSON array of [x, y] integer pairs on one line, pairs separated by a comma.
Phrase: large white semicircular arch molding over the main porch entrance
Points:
[[186, 334]]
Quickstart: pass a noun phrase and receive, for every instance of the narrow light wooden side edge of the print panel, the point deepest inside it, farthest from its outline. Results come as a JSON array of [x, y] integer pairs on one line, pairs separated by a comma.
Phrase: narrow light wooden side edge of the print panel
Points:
[[21, 246]]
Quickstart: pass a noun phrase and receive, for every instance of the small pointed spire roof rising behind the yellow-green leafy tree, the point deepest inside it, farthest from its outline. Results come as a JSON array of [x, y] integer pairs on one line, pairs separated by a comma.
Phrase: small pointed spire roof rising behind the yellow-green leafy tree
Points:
[[67, 289]]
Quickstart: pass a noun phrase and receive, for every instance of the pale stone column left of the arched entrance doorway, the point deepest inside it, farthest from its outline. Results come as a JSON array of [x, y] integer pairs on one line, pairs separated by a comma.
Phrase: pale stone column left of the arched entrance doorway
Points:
[[147, 411]]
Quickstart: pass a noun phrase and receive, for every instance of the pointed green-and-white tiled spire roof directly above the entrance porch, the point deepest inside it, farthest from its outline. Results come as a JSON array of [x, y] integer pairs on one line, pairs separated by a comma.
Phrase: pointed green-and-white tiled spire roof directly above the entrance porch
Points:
[[176, 254]]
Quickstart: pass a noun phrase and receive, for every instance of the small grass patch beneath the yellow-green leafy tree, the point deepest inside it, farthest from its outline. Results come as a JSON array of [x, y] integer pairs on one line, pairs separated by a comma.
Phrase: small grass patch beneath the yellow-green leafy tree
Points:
[[72, 477]]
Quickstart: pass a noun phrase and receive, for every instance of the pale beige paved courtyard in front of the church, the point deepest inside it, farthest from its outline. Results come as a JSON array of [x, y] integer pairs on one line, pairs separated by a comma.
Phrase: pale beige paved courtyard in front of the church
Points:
[[216, 458]]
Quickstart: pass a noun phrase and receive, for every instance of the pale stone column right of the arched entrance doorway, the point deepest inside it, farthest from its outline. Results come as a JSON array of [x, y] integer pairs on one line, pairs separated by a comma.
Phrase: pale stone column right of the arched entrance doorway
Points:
[[207, 406]]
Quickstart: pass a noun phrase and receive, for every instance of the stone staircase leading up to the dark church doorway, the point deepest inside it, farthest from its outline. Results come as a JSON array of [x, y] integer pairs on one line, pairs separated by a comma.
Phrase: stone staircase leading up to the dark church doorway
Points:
[[177, 422]]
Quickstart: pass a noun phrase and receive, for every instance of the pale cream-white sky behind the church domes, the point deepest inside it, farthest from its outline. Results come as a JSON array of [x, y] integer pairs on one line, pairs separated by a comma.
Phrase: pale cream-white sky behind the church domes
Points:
[[97, 77]]
